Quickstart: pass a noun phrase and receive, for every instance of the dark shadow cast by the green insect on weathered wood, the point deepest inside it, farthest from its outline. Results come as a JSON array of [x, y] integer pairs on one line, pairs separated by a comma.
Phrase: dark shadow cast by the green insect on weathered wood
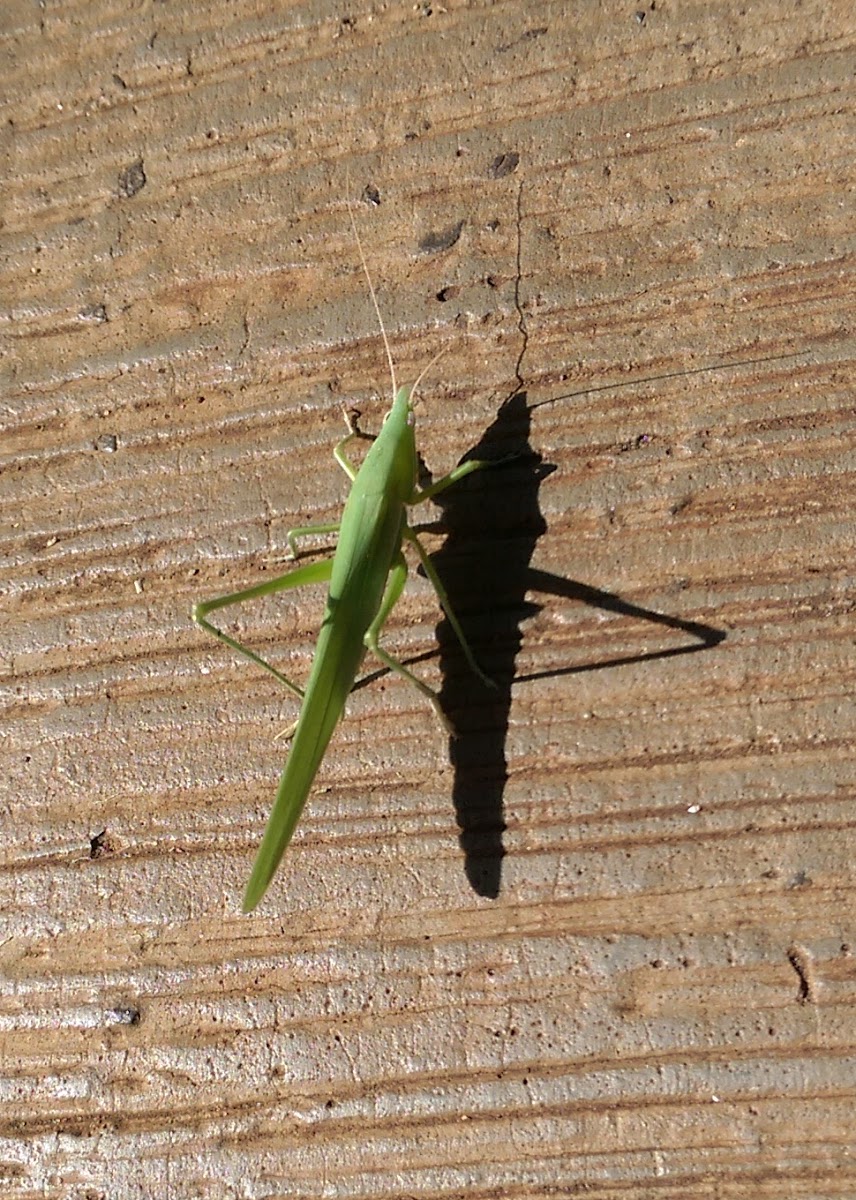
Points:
[[493, 523]]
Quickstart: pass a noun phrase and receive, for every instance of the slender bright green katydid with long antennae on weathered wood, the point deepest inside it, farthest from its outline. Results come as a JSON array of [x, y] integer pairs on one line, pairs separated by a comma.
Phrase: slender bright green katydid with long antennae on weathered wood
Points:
[[367, 577]]
